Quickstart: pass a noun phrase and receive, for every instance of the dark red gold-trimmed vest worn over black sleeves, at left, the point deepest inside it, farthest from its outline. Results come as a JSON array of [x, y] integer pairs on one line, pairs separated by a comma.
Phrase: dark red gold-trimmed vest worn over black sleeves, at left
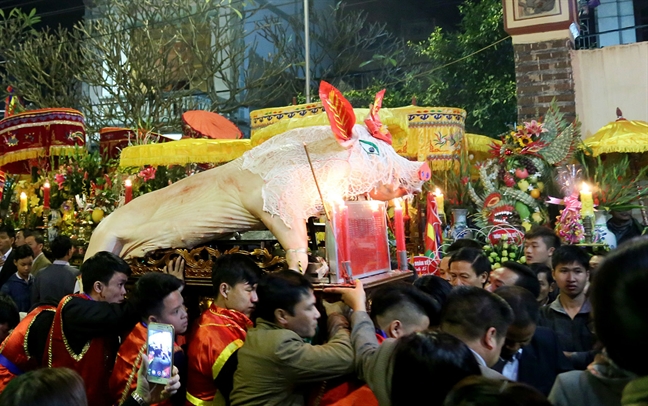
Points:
[[94, 363]]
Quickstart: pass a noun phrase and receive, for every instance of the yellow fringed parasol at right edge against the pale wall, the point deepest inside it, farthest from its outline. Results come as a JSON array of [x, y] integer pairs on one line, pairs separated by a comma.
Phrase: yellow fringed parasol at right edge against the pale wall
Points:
[[620, 136]]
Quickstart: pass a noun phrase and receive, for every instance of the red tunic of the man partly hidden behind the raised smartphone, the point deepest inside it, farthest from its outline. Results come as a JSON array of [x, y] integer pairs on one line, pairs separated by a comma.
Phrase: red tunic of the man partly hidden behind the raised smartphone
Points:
[[123, 380]]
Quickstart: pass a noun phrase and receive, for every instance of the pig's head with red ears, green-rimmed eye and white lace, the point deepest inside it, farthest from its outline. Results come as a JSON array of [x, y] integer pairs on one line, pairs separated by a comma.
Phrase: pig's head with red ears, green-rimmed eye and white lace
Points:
[[349, 161]]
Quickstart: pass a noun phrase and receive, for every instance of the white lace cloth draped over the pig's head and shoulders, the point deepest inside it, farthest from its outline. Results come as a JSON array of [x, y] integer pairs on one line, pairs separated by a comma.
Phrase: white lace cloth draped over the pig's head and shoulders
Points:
[[290, 191]]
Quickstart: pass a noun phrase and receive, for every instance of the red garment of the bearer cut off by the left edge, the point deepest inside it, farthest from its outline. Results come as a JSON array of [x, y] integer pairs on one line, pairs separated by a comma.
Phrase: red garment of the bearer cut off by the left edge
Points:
[[14, 348]]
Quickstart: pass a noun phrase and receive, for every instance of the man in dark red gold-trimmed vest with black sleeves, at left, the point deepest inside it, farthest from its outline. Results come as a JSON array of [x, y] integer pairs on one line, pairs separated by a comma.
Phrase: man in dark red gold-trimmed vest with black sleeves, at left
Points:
[[85, 332]]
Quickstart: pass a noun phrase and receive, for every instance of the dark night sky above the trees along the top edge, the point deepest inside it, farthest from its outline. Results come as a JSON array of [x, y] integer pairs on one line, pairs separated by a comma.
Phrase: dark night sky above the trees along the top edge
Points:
[[411, 19]]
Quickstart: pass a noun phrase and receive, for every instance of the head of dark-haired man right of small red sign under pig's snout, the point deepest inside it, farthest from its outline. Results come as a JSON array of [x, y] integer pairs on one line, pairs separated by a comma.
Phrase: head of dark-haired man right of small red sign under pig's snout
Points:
[[469, 267]]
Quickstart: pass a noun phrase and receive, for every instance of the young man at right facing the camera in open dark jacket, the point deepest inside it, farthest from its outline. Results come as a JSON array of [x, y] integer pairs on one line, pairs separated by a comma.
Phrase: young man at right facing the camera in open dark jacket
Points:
[[569, 315]]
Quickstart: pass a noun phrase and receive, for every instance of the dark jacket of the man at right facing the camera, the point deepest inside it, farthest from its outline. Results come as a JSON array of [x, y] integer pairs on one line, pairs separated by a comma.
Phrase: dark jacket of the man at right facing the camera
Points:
[[575, 335]]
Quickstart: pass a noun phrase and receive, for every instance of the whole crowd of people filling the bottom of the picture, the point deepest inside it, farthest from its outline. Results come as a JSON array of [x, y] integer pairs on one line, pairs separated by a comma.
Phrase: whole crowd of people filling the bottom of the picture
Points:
[[555, 331]]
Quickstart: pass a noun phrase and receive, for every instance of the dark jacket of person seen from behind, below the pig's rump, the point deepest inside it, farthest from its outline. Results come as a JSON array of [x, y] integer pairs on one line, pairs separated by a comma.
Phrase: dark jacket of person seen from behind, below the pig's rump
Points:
[[54, 282]]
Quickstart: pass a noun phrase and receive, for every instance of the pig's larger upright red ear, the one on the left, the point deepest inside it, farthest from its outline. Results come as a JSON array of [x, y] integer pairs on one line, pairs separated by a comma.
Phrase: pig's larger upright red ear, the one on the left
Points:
[[339, 111]]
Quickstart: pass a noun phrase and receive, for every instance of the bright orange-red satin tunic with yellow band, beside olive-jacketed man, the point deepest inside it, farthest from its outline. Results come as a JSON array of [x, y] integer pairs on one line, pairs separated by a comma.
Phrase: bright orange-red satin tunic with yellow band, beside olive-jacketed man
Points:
[[215, 336]]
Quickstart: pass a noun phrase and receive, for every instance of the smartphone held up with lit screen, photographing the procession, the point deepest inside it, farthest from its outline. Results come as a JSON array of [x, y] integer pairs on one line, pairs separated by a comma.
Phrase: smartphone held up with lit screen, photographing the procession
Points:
[[160, 352]]
